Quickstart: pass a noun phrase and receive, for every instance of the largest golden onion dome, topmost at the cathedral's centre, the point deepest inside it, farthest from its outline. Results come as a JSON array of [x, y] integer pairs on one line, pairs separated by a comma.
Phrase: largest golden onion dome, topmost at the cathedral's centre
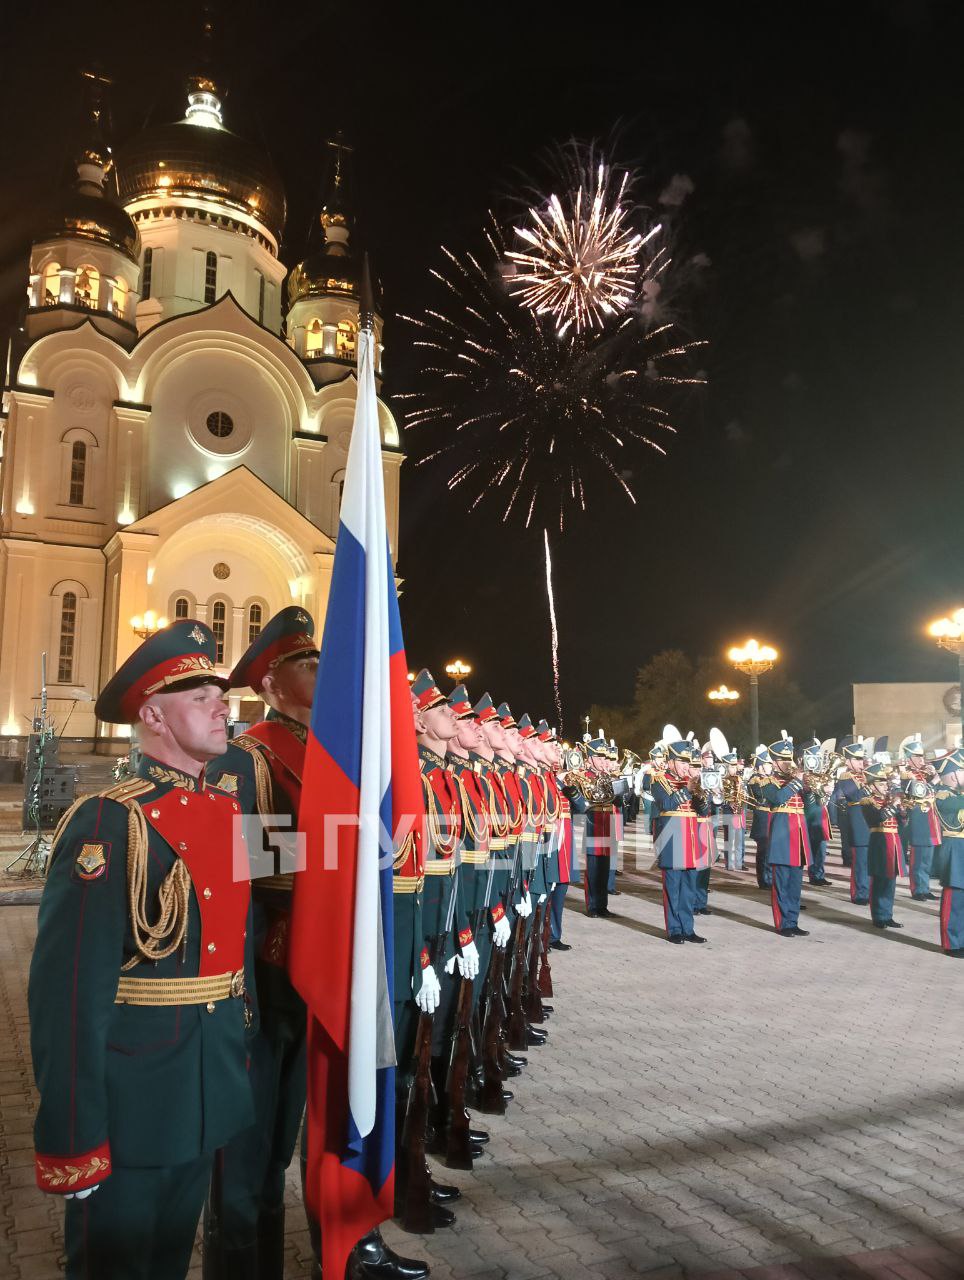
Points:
[[198, 157]]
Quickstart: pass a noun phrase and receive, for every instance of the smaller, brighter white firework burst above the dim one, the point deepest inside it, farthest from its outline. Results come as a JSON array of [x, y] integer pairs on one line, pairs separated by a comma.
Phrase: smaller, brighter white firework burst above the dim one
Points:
[[583, 259]]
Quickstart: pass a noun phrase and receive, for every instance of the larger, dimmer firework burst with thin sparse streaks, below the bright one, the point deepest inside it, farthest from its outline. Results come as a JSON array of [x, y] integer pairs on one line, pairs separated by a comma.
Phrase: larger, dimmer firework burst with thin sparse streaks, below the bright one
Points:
[[526, 418]]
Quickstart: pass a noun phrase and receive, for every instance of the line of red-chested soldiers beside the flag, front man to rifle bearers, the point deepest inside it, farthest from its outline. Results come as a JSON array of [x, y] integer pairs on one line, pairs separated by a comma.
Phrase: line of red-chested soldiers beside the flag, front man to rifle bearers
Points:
[[170, 1044]]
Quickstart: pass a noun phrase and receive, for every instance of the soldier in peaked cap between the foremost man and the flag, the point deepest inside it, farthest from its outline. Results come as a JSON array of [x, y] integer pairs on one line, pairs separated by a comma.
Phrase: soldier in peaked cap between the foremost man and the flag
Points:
[[245, 1222]]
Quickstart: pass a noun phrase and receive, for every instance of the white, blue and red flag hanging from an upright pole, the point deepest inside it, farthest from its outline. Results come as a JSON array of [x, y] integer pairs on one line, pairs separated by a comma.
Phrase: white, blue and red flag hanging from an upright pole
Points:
[[362, 796]]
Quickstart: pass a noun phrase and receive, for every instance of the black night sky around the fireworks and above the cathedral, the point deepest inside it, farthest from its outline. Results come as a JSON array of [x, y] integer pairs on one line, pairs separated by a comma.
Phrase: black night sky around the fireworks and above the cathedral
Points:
[[814, 495]]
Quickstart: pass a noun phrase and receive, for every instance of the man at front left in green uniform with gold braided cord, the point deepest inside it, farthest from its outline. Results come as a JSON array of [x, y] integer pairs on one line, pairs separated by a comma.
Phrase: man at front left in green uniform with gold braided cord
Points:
[[138, 991]]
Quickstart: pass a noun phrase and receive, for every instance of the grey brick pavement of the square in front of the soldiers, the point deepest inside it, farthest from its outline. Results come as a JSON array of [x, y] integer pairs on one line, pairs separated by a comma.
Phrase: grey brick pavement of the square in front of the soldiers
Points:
[[757, 1107]]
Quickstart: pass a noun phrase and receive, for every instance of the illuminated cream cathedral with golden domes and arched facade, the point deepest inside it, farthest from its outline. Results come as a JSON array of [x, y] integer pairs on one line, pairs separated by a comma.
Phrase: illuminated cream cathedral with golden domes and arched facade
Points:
[[175, 437]]
